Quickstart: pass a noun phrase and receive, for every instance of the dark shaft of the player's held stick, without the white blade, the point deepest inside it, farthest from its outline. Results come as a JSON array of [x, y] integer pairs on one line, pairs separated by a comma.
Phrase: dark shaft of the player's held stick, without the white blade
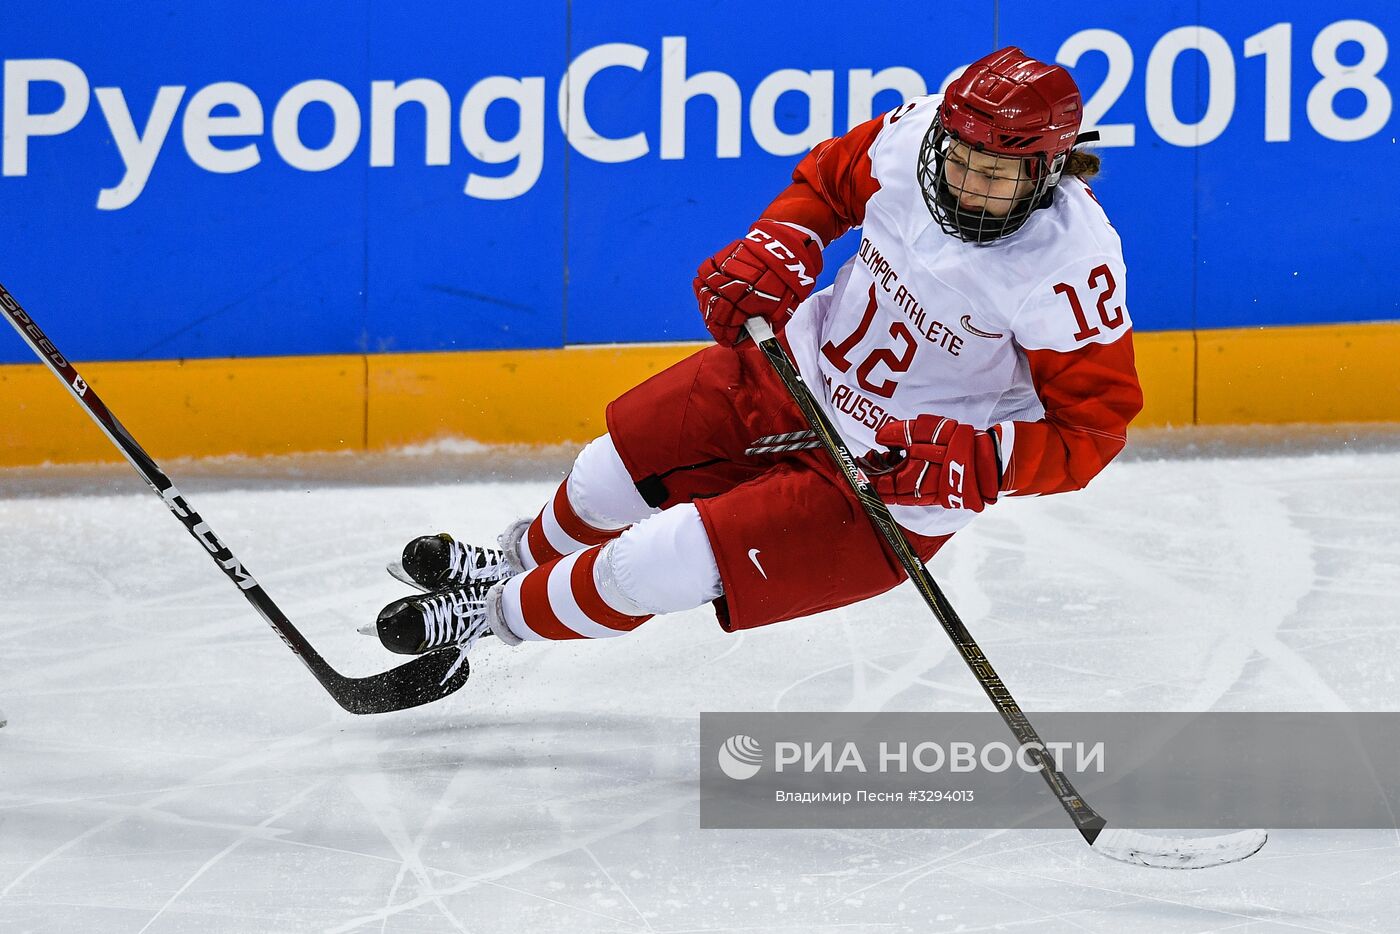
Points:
[[1084, 817]]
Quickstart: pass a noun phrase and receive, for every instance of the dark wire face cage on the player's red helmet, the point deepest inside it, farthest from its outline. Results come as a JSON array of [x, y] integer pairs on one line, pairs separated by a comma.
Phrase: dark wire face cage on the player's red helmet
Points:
[[981, 225]]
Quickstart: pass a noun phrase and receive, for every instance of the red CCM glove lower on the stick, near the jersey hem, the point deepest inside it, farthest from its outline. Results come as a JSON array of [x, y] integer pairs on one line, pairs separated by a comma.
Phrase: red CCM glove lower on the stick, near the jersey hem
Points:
[[936, 461]]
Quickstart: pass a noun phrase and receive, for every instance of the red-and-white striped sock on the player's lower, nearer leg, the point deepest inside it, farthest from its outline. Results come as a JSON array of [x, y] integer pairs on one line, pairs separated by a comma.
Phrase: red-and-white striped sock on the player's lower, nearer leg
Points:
[[559, 600]]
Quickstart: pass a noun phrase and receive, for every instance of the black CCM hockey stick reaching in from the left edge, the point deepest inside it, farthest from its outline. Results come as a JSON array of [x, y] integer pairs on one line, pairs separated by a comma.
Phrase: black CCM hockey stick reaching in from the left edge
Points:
[[421, 681]]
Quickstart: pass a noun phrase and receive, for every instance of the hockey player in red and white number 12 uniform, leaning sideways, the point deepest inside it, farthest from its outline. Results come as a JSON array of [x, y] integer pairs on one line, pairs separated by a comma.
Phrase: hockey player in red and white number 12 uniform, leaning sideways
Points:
[[978, 345]]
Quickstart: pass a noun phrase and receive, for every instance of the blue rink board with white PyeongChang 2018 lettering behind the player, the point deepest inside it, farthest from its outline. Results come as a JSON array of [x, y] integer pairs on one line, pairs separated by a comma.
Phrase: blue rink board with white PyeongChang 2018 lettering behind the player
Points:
[[597, 240]]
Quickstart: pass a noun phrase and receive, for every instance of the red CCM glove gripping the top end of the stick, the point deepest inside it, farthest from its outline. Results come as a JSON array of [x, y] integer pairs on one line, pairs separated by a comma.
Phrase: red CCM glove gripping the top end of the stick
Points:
[[765, 275]]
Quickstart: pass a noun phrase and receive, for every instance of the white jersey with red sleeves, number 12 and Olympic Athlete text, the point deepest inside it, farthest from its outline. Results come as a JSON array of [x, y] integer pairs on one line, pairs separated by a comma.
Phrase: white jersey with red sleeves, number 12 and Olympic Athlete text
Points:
[[1028, 337]]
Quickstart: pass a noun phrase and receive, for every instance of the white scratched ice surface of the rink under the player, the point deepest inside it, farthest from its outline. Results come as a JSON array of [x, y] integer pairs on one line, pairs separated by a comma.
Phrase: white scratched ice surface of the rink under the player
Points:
[[169, 765]]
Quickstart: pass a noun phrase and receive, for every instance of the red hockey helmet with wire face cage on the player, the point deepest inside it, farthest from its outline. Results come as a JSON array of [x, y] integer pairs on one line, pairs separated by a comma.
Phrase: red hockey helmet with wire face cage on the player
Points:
[[1004, 104]]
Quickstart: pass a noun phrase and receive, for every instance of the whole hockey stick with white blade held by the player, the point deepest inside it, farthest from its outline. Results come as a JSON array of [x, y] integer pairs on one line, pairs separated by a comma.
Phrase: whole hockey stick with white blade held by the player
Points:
[[1121, 845]]
